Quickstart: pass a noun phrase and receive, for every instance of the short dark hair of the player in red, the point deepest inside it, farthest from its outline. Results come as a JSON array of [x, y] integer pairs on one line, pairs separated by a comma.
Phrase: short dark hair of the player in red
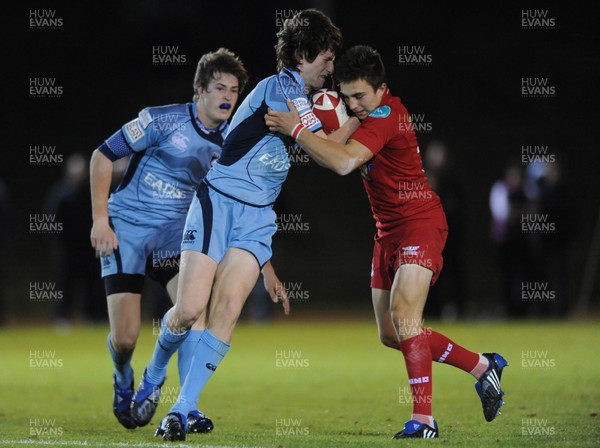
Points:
[[361, 62]]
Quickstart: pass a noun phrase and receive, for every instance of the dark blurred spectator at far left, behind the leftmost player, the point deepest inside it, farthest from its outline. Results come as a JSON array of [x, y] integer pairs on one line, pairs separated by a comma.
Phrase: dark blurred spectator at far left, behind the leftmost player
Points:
[[77, 269]]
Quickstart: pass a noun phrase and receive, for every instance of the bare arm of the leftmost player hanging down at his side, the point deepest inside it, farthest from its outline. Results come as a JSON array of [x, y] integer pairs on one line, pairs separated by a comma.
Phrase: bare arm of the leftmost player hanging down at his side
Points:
[[103, 239]]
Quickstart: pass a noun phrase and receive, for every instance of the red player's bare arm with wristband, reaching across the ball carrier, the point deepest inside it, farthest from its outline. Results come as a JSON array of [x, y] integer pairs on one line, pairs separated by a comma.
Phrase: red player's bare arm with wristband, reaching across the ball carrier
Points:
[[340, 158]]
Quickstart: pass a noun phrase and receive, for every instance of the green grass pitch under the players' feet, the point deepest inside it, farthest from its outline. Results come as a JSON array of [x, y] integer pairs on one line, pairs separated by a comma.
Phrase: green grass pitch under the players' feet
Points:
[[309, 384]]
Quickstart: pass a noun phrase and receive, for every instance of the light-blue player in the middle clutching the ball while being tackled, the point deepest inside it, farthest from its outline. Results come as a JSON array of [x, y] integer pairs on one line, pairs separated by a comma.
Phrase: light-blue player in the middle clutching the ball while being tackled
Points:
[[227, 236]]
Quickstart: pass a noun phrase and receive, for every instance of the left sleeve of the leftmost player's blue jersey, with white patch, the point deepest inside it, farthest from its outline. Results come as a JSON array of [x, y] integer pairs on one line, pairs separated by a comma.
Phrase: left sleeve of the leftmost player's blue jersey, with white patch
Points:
[[135, 136]]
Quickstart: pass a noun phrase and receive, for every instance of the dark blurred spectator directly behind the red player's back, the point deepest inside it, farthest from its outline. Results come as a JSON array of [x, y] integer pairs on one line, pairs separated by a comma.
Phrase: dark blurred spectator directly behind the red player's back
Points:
[[447, 298]]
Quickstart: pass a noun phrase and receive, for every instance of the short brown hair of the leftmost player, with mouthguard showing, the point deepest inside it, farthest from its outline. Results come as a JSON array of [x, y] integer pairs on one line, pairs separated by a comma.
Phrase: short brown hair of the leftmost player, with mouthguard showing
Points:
[[220, 61]]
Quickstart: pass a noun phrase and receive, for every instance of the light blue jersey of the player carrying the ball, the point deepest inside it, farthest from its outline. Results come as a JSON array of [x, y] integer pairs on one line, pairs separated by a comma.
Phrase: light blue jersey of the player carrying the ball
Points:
[[255, 162]]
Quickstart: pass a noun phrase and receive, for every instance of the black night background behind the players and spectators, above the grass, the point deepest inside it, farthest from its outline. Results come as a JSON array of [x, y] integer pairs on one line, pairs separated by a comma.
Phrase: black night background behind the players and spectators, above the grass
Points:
[[470, 93]]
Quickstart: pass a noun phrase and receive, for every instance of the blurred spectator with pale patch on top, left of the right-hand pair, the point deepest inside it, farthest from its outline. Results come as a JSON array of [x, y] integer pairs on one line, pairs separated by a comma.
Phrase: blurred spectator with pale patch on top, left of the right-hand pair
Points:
[[508, 204]]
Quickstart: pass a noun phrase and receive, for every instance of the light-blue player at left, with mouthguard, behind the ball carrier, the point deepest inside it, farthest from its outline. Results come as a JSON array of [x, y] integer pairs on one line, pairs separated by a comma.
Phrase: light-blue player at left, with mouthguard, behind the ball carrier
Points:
[[138, 231]]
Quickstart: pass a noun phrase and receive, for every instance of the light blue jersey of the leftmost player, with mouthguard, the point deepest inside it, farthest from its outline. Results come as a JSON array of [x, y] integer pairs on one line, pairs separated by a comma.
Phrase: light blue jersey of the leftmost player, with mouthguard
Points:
[[171, 152]]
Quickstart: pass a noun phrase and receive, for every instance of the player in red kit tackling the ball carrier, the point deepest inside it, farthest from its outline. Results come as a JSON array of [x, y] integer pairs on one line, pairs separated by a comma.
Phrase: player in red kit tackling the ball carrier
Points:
[[411, 231]]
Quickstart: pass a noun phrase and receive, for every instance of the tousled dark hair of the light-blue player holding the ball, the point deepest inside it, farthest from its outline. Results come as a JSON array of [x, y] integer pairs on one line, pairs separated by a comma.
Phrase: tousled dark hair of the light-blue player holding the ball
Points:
[[306, 34]]
